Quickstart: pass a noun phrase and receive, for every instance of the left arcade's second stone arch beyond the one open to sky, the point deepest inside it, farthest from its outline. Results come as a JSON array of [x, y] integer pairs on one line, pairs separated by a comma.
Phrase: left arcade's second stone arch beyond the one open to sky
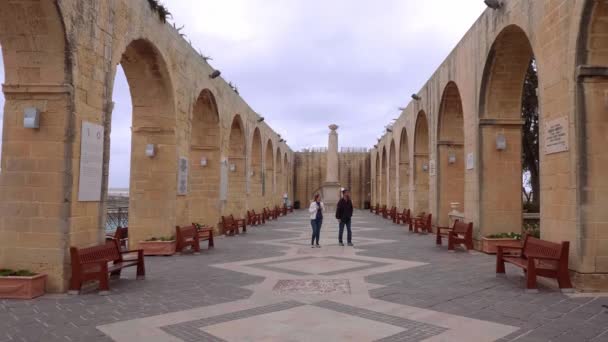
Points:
[[237, 184]]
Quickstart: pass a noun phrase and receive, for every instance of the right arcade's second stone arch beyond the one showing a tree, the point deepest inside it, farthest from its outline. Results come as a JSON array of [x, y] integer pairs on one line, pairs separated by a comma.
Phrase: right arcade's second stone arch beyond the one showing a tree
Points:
[[421, 163]]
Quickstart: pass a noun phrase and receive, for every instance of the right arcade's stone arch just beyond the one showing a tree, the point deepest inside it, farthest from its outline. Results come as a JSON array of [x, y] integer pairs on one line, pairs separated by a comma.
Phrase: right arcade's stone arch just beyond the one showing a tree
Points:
[[450, 153]]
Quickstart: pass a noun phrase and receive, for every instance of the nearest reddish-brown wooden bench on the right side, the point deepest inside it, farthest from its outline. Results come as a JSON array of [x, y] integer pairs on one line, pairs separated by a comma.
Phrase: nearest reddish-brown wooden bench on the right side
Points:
[[538, 258]]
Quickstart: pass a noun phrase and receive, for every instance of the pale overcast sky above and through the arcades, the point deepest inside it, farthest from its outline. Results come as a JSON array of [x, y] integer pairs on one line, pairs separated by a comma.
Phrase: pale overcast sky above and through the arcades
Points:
[[304, 64]]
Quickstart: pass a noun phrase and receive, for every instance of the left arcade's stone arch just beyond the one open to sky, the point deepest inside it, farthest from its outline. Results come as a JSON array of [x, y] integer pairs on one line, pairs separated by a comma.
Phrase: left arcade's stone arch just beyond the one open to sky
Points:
[[205, 160]]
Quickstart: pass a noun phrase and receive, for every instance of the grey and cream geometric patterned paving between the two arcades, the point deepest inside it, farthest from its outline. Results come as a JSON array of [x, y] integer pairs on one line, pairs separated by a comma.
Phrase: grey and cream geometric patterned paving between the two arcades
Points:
[[270, 285]]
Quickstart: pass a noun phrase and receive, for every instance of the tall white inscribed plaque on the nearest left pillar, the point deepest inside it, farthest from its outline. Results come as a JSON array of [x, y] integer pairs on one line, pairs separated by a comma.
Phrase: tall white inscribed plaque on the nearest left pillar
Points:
[[91, 162]]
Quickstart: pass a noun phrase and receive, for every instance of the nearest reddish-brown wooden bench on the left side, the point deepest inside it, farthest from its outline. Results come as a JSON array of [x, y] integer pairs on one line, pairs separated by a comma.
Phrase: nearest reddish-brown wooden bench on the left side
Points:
[[91, 263]]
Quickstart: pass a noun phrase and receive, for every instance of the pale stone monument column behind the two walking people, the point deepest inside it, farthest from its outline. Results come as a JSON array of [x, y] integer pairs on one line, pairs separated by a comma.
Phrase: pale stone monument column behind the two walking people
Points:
[[331, 187]]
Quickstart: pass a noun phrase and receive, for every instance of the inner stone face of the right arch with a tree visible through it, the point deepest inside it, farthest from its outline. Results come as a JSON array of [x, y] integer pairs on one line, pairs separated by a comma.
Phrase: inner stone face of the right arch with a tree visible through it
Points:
[[500, 121]]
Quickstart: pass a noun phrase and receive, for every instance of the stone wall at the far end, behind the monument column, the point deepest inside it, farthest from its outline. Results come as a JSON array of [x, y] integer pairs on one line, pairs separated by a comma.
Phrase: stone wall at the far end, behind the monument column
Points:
[[354, 174]]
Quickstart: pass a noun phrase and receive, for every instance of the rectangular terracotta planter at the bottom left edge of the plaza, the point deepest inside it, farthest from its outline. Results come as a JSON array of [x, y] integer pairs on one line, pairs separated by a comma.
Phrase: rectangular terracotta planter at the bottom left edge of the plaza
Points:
[[21, 284]]
